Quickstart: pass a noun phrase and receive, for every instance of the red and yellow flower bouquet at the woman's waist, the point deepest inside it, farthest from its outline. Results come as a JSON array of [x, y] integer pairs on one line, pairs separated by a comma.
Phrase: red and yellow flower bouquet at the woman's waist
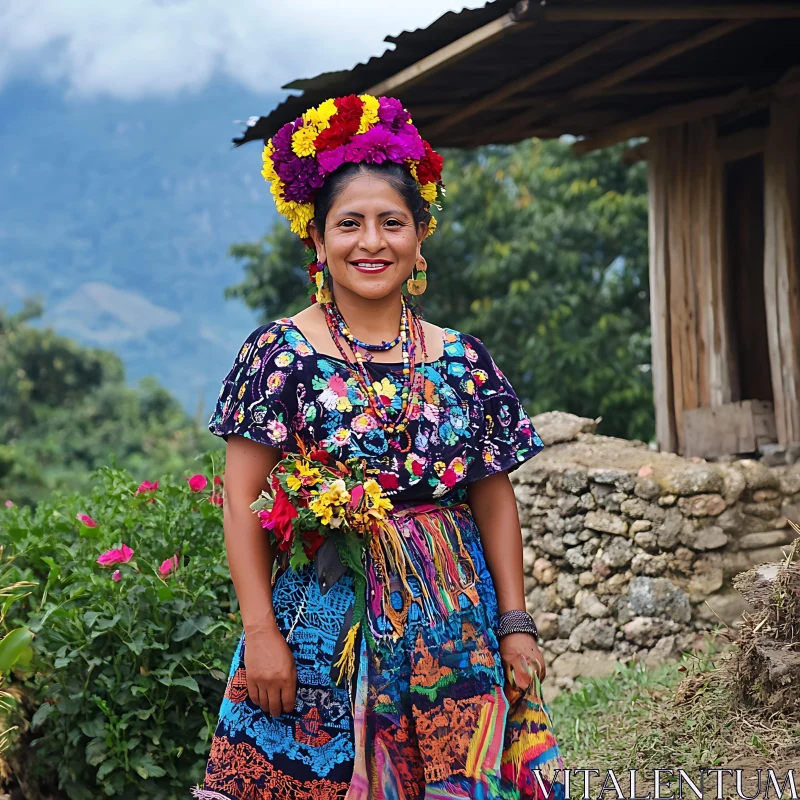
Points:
[[315, 497]]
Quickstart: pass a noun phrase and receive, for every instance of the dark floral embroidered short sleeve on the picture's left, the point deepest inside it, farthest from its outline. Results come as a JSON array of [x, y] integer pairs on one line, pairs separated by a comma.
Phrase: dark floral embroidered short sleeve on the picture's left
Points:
[[258, 398]]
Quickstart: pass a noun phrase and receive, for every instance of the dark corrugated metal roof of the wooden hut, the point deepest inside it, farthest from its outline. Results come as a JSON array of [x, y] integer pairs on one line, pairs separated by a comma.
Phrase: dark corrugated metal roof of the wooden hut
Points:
[[753, 55]]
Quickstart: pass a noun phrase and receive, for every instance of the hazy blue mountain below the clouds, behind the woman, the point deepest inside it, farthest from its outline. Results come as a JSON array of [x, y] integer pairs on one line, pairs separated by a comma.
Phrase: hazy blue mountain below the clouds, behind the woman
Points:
[[119, 215]]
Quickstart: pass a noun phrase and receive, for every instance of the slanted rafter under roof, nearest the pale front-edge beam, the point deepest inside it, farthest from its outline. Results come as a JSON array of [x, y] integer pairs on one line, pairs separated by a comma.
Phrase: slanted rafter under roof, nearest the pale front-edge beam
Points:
[[538, 75]]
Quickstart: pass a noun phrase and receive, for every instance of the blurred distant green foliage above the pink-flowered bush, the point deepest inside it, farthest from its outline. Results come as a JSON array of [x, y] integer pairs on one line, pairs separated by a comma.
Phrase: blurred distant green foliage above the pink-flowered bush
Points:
[[65, 410]]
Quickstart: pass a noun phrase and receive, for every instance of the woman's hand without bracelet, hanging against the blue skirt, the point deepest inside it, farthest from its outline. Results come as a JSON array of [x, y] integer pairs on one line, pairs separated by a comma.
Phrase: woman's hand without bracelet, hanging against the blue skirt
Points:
[[271, 672]]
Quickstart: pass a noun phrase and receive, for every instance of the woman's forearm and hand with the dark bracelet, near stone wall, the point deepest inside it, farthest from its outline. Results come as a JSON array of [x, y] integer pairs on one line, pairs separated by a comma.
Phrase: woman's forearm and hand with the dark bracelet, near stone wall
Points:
[[494, 508]]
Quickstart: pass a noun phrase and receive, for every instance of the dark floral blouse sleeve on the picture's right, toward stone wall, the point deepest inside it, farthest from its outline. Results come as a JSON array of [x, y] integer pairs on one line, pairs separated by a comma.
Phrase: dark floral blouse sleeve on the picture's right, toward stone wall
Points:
[[503, 431]]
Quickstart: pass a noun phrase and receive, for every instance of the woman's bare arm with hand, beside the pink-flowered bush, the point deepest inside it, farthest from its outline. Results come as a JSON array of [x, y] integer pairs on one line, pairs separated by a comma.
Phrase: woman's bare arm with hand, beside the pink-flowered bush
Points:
[[269, 664]]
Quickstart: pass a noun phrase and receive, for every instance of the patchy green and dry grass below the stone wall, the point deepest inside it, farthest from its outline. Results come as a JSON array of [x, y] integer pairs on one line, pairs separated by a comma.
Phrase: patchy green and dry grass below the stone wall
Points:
[[677, 715]]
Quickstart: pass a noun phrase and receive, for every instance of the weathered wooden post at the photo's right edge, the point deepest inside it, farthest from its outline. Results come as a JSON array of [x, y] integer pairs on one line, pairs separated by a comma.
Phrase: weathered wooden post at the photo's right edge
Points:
[[782, 263]]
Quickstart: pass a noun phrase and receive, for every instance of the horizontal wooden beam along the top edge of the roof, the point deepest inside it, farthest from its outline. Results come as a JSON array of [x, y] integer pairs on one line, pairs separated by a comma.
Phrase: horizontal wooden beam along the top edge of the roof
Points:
[[600, 13]]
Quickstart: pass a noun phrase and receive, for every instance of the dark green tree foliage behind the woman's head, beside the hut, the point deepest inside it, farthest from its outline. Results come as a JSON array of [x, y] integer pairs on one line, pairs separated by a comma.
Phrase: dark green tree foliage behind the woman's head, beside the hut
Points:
[[541, 254]]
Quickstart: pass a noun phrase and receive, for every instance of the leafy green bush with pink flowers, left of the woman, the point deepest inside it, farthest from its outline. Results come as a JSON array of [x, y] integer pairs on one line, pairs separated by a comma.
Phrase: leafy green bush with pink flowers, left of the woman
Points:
[[130, 666]]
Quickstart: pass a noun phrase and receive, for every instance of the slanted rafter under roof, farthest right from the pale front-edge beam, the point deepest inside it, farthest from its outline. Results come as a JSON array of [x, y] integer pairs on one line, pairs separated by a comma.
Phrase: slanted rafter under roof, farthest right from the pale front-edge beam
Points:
[[618, 76]]
